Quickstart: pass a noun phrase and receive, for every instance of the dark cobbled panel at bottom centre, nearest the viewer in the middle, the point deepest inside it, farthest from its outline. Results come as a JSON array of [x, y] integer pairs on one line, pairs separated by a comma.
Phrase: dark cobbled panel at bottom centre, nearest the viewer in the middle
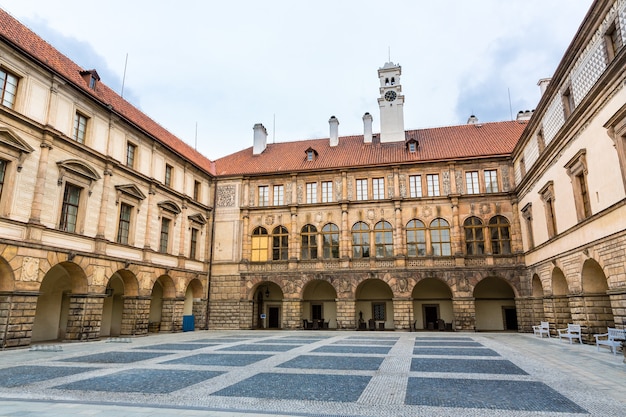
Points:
[[339, 388]]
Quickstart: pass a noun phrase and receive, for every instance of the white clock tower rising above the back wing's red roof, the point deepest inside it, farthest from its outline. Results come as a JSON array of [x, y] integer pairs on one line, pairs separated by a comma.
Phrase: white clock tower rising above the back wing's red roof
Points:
[[391, 103]]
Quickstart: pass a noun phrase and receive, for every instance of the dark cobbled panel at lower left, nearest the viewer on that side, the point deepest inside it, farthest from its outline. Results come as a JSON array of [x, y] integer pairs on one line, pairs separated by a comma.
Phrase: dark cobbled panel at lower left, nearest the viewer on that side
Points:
[[152, 381]]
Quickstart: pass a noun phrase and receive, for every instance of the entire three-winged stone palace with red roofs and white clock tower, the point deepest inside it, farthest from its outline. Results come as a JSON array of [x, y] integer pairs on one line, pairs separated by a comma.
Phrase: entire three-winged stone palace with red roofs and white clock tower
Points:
[[107, 220]]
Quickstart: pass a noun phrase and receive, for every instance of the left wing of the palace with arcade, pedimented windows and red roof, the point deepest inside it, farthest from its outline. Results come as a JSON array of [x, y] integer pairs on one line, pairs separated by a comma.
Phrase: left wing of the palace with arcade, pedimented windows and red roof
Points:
[[104, 216]]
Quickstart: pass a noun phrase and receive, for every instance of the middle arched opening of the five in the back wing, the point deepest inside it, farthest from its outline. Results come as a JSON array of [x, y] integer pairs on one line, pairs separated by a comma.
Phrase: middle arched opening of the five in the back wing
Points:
[[374, 303]]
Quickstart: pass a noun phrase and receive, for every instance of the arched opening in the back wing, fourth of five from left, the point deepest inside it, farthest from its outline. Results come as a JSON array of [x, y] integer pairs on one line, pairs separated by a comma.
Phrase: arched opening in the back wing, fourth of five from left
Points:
[[432, 304]]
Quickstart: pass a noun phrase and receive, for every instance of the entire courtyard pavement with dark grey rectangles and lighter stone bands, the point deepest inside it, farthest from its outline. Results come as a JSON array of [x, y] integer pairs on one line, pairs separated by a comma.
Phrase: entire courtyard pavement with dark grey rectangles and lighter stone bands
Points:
[[314, 373]]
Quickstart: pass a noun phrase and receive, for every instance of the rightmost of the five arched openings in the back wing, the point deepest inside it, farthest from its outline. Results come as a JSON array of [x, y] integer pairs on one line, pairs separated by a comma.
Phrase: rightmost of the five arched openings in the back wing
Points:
[[494, 300]]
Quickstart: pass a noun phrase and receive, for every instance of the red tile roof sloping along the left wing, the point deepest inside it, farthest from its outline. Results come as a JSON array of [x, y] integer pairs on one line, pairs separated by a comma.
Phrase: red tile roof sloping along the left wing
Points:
[[13, 32]]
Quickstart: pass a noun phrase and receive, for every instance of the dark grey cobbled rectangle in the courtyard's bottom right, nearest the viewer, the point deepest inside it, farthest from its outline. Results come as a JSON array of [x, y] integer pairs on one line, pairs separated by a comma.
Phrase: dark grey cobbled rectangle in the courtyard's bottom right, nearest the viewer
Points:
[[492, 394]]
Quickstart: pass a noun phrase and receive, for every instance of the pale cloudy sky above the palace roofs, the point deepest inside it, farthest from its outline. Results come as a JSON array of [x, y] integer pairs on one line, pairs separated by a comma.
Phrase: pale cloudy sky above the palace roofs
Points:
[[208, 70]]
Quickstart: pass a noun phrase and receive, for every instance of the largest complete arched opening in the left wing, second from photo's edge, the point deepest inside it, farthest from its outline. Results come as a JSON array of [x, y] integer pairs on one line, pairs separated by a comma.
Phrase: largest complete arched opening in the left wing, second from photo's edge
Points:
[[52, 313]]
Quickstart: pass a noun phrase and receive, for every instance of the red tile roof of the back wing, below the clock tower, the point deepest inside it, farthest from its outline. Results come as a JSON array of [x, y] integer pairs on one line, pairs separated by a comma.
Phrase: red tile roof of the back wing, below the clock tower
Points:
[[444, 143]]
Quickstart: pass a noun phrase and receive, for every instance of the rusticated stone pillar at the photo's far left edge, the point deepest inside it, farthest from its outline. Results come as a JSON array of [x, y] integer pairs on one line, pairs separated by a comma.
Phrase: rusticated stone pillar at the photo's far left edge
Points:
[[17, 315]]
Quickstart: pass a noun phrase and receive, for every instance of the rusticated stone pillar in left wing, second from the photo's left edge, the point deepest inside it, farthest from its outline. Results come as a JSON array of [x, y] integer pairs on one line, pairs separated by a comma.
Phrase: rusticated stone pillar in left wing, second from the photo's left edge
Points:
[[84, 317]]
